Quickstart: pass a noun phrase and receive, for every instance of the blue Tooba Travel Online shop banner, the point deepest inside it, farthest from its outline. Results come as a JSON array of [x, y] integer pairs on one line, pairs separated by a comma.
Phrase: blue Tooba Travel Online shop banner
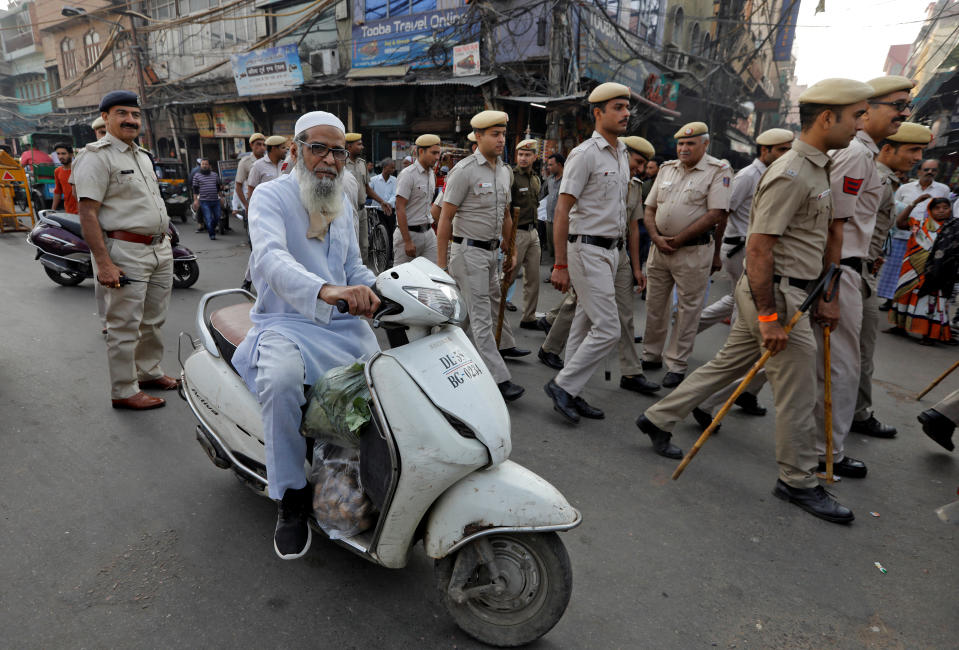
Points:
[[406, 40]]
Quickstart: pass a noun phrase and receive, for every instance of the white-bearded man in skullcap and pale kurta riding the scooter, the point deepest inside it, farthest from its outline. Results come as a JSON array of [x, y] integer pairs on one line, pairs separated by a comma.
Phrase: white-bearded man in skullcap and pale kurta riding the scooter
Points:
[[305, 257]]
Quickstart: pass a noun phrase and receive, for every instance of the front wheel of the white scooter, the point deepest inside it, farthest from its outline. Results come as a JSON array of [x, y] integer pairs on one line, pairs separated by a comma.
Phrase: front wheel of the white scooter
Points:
[[514, 600]]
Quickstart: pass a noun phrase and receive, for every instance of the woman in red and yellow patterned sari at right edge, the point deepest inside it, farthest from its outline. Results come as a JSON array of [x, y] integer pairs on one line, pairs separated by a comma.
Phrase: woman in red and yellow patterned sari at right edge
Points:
[[916, 311]]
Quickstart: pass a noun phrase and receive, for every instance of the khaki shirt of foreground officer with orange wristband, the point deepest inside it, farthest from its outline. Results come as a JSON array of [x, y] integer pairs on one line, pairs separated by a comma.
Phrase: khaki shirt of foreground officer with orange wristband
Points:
[[793, 203]]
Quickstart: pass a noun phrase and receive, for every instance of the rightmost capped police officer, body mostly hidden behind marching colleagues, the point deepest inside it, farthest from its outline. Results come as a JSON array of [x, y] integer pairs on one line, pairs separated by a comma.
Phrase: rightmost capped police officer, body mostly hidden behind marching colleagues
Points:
[[897, 153]]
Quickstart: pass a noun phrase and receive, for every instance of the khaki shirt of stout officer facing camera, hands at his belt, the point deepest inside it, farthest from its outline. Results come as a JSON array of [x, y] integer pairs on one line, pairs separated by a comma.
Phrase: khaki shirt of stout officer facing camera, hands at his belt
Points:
[[682, 196]]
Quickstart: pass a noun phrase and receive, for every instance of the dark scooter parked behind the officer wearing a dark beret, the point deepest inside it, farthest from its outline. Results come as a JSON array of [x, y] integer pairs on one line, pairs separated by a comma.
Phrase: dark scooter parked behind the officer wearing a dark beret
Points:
[[65, 255]]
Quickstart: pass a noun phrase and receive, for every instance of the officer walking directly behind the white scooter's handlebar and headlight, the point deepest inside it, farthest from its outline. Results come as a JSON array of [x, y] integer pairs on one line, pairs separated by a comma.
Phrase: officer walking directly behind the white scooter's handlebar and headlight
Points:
[[476, 217]]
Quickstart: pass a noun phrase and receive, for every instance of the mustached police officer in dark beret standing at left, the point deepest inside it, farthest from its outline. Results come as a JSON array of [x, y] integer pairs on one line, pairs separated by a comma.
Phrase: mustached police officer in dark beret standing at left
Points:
[[125, 224]]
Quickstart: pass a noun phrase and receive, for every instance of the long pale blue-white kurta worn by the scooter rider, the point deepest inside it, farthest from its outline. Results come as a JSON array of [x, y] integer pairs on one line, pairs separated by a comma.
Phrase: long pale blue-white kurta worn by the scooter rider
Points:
[[288, 271]]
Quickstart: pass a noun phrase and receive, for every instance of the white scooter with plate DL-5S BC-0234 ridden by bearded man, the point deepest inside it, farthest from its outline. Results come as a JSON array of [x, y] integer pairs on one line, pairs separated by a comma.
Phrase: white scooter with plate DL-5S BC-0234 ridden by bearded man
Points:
[[433, 461]]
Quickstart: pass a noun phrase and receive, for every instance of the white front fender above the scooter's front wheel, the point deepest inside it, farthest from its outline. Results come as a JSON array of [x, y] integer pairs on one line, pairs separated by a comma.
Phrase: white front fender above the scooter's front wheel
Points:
[[506, 497]]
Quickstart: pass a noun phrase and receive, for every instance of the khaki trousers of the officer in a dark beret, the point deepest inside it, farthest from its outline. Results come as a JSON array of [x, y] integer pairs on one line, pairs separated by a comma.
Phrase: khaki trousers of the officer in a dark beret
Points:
[[135, 313]]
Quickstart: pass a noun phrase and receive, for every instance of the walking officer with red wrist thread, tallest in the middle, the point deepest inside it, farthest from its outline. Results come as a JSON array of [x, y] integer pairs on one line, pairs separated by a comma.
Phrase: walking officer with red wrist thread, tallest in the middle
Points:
[[588, 228]]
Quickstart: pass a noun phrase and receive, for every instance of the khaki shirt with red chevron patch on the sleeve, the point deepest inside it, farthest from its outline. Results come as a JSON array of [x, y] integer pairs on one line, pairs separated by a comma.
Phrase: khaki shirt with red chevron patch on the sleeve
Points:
[[856, 191]]
